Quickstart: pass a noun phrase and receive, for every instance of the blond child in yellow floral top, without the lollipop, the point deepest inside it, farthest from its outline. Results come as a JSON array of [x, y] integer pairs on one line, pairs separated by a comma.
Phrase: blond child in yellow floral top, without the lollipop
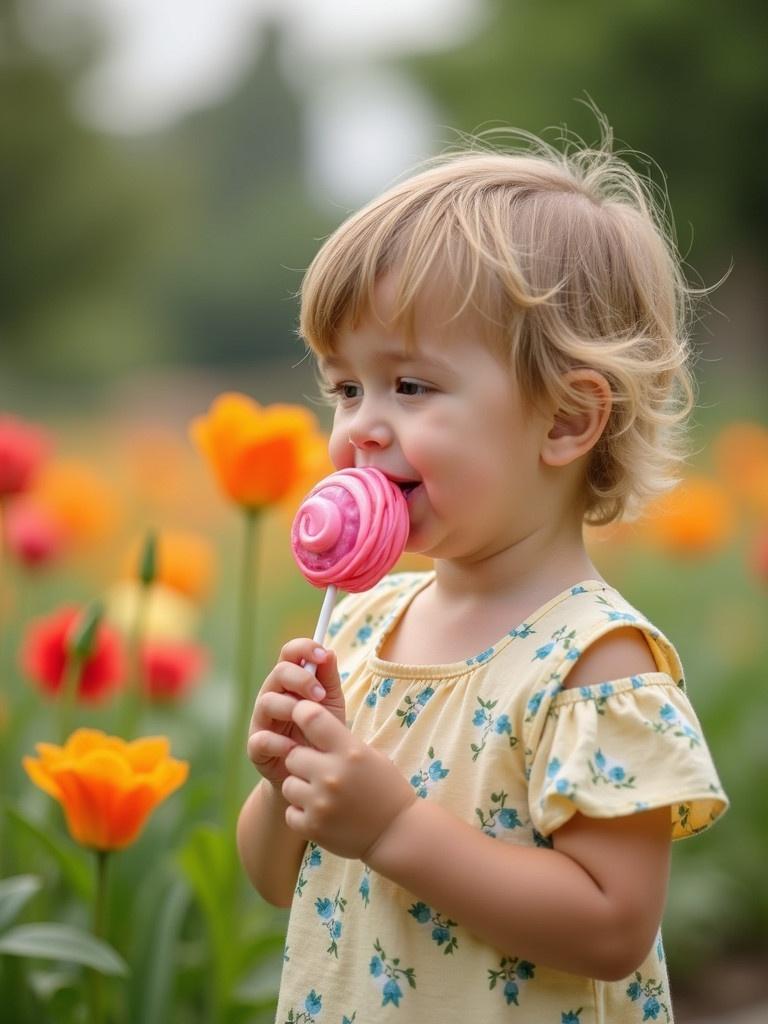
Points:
[[470, 810]]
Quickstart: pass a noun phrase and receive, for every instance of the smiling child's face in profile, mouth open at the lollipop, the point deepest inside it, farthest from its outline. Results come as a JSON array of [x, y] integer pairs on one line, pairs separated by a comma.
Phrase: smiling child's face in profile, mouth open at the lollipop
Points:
[[445, 421]]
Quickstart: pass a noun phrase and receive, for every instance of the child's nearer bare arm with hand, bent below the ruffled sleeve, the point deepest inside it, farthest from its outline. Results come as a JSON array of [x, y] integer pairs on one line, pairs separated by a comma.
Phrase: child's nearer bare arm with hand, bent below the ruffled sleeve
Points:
[[591, 906]]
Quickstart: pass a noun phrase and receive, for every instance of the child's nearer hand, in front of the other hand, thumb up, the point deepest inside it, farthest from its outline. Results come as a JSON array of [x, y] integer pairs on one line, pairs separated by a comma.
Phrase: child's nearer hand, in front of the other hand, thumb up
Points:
[[344, 794]]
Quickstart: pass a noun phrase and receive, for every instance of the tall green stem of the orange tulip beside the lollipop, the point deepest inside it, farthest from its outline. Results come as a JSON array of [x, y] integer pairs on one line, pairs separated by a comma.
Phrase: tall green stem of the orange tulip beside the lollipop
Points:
[[242, 706]]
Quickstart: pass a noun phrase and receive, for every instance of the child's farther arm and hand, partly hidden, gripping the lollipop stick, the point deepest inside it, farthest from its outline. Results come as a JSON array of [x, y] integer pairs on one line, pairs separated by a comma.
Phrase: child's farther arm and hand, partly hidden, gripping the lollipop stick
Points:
[[270, 851]]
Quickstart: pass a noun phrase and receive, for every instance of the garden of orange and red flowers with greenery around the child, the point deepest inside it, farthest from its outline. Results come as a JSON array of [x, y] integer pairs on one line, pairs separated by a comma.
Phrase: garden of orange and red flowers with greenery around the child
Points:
[[147, 586]]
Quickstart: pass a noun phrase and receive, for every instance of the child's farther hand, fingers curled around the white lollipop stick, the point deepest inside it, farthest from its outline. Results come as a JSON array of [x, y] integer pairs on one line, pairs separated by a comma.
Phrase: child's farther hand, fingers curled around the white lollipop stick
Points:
[[273, 733]]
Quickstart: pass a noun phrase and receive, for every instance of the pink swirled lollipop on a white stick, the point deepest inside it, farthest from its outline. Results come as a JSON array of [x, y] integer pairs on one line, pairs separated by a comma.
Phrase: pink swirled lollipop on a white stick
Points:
[[349, 533]]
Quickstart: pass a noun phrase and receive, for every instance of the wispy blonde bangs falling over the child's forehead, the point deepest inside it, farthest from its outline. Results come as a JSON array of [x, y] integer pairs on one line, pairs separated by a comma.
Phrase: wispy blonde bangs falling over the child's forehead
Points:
[[437, 235]]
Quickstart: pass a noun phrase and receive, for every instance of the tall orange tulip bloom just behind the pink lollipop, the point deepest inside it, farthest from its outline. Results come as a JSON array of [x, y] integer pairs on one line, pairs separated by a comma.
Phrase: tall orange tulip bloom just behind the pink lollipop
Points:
[[258, 453]]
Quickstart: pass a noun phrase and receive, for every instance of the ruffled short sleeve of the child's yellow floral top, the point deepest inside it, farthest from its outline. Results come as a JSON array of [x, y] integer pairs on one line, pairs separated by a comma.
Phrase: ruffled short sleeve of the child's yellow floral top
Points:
[[618, 749]]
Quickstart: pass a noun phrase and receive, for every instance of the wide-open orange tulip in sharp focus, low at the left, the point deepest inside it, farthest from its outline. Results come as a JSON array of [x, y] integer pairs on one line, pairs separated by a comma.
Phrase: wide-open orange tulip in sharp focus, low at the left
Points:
[[107, 787]]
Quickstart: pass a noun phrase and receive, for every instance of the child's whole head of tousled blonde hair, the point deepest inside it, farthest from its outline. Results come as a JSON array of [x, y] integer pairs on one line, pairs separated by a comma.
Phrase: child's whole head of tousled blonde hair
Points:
[[568, 258]]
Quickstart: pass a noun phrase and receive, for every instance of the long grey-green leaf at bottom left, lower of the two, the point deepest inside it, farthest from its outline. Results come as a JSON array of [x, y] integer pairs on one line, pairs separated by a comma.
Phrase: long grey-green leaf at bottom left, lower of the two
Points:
[[62, 943]]
